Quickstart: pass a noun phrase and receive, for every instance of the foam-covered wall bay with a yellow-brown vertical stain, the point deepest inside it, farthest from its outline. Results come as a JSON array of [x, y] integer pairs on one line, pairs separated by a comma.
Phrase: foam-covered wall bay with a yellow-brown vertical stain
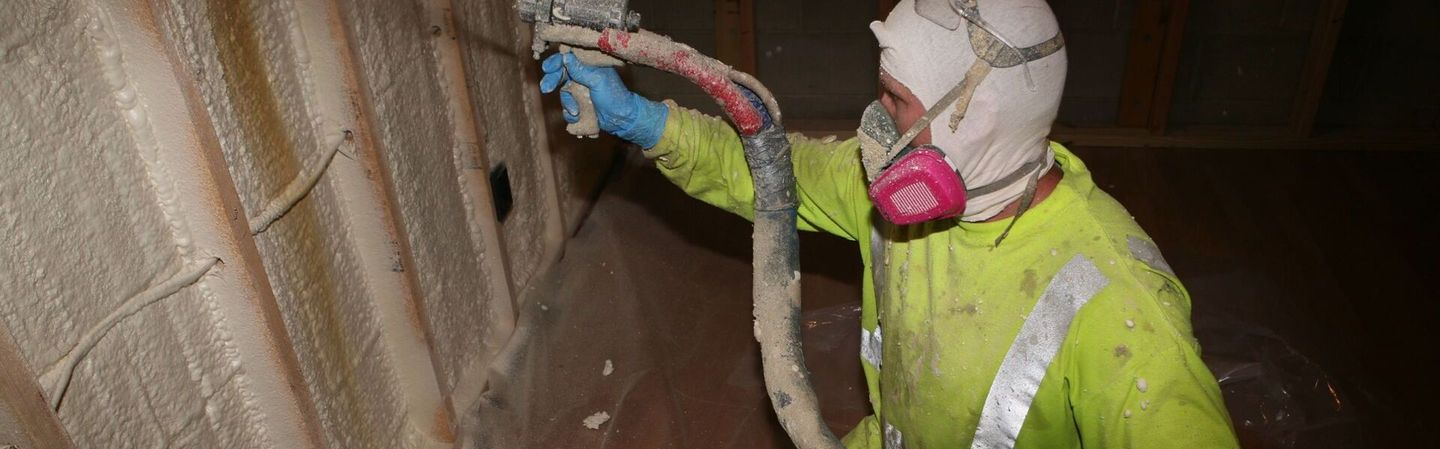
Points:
[[258, 89]]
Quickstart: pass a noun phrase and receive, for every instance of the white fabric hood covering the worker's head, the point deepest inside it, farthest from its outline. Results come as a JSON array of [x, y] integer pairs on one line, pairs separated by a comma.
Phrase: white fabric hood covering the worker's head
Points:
[[1007, 123]]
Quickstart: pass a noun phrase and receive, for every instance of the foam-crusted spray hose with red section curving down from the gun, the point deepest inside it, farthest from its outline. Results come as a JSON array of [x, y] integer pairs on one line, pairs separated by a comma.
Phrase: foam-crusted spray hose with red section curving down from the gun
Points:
[[777, 247]]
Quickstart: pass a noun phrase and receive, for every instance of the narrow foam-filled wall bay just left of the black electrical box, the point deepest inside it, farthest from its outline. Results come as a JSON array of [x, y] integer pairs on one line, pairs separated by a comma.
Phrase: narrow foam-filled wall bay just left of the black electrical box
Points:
[[427, 139]]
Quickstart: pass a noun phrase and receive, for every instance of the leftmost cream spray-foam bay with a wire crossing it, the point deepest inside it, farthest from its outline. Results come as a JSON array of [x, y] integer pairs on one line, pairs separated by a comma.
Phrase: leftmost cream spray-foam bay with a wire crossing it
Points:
[[84, 230]]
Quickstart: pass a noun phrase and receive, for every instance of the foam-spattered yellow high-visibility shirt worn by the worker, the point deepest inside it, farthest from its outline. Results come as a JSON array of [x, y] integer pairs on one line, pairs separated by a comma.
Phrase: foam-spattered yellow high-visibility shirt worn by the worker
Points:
[[1125, 373]]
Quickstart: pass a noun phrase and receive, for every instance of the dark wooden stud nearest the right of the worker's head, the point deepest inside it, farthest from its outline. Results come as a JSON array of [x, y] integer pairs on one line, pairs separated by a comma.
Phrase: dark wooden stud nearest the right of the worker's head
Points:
[[1148, 84]]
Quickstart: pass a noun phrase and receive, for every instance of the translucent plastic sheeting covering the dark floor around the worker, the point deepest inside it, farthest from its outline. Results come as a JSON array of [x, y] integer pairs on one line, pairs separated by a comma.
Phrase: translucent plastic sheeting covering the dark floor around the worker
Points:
[[657, 284]]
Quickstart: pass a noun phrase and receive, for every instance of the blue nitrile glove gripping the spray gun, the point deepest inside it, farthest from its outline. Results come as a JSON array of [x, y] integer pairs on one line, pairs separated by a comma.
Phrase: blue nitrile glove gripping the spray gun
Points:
[[620, 112]]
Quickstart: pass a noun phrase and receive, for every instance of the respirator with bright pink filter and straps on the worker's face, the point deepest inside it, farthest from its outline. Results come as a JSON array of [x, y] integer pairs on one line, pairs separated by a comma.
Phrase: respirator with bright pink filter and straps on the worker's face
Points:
[[919, 183]]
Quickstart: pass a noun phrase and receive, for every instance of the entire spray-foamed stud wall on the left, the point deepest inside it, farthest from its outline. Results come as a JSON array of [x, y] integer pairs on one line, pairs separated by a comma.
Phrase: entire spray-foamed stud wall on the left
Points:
[[269, 224]]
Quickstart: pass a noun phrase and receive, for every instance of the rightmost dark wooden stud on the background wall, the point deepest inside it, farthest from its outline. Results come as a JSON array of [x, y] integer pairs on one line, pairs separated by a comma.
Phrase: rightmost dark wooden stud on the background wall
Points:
[[1327, 34]]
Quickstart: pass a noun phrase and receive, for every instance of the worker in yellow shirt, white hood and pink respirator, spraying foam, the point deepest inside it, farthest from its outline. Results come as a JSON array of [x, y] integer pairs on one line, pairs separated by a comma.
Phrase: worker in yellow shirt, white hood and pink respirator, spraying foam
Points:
[[1009, 301]]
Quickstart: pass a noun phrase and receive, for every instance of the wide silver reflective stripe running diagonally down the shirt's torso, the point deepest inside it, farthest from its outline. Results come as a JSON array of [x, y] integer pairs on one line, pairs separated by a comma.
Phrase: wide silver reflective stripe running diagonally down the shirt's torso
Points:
[[1035, 348]]
